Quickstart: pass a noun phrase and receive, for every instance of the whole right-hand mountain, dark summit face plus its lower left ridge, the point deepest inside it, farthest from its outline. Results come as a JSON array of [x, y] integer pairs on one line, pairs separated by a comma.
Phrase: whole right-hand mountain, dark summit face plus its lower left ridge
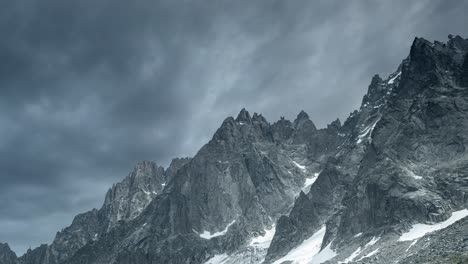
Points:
[[412, 168]]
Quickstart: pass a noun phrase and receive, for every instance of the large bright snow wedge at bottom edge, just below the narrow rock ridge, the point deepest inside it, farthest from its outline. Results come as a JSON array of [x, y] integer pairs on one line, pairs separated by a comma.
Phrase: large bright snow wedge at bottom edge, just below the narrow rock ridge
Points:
[[304, 252]]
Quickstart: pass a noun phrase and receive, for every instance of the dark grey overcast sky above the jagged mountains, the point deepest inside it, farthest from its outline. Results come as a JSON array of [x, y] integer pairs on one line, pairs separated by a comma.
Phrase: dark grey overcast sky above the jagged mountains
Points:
[[90, 87]]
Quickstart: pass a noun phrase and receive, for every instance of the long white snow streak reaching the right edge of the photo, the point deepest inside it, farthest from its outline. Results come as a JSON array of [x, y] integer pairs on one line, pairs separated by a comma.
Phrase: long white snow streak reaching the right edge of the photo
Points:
[[420, 230]]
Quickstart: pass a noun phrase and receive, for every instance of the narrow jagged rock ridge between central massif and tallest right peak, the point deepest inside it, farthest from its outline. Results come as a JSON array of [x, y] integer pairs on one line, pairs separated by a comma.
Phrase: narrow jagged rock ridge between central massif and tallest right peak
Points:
[[323, 203]]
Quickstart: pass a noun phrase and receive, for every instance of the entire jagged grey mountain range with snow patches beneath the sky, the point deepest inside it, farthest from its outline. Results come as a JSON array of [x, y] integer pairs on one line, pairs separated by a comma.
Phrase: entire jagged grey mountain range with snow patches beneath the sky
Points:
[[388, 185]]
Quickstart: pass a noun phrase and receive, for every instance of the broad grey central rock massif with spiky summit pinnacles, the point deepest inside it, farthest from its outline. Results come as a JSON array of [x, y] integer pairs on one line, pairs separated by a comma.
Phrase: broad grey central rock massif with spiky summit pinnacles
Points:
[[237, 184]]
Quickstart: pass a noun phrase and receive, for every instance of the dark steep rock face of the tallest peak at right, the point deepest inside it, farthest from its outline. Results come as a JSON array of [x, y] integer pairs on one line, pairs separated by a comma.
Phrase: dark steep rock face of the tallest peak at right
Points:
[[414, 168]]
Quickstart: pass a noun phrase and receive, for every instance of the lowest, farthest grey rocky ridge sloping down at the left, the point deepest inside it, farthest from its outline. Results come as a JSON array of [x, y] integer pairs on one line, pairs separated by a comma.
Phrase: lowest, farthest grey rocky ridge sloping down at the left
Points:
[[123, 202]]
